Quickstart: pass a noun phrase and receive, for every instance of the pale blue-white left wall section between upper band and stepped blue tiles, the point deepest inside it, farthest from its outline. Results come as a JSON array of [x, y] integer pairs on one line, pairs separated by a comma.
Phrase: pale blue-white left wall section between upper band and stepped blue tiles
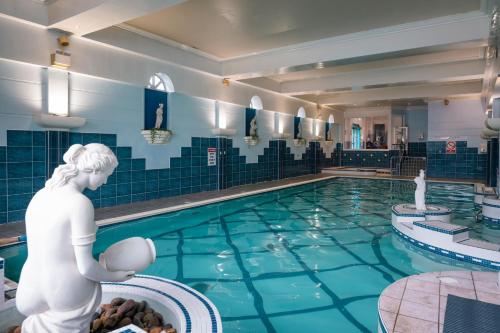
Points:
[[117, 108]]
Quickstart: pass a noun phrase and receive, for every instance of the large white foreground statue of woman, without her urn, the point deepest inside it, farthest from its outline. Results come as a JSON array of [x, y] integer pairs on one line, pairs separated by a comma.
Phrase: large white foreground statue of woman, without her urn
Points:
[[59, 287]]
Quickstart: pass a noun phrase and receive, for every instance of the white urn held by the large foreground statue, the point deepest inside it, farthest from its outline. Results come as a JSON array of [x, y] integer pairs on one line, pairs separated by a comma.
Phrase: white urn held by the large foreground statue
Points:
[[131, 254]]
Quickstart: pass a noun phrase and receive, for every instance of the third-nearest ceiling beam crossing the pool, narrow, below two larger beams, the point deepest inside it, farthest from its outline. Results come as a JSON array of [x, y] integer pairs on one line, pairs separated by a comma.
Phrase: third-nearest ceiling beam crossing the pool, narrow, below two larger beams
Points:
[[402, 92]]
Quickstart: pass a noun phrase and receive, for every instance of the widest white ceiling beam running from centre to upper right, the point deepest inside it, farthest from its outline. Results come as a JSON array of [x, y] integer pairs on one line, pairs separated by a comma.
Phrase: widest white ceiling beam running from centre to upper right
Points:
[[440, 31]]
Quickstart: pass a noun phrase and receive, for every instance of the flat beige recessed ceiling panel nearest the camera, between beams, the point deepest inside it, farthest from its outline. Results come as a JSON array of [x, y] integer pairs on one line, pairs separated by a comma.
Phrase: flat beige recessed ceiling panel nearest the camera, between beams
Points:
[[230, 28]]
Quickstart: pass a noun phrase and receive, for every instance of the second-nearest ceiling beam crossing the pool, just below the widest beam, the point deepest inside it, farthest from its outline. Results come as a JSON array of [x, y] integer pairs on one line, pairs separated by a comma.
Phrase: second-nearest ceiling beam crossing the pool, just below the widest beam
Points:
[[459, 71]]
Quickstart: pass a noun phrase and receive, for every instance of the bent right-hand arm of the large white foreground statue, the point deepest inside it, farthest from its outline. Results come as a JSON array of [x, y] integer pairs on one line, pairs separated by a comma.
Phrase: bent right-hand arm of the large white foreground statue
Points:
[[83, 231]]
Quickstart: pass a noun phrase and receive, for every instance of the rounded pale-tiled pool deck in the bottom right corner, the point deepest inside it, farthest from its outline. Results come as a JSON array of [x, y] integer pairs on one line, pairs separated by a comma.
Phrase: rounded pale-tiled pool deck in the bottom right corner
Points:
[[417, 303]]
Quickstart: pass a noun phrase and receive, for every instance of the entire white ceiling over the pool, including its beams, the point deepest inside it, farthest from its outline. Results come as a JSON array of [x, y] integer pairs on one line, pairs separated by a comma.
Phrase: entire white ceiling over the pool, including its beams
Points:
[[331, 52]]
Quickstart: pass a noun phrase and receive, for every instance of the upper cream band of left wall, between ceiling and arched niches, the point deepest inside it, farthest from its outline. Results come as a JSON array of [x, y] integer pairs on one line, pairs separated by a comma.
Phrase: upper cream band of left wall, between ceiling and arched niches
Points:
[[32, 44]]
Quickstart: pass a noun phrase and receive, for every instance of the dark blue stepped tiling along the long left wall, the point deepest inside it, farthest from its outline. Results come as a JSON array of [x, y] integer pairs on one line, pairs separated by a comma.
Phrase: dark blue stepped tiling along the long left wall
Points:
[[31, 156]]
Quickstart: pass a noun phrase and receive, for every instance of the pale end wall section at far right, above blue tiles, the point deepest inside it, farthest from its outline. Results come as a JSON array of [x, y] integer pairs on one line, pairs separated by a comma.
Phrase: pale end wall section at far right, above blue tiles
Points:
[[462, 119]]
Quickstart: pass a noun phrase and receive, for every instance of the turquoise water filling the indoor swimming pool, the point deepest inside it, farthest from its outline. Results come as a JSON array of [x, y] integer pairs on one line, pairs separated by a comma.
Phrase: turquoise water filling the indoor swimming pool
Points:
[[309, 258]]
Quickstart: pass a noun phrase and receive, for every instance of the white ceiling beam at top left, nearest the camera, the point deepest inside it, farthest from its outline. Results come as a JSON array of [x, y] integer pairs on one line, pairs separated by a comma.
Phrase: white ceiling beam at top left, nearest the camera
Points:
[[83, 17]]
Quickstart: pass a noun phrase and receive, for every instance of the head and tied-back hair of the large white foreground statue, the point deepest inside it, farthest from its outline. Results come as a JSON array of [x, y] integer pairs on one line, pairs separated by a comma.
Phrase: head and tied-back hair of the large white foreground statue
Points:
[[95, 160]]
